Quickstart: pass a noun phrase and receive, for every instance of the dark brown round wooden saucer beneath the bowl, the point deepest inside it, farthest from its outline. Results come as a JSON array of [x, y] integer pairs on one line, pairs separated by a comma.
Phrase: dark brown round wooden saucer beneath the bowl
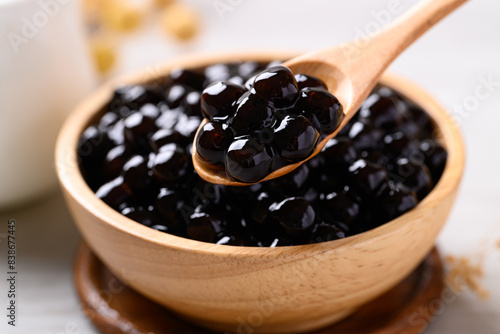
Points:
[[117, 309]]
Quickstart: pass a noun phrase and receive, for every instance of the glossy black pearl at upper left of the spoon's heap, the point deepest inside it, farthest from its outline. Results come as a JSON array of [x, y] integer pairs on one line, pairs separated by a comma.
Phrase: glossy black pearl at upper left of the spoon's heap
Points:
[[219, 99]]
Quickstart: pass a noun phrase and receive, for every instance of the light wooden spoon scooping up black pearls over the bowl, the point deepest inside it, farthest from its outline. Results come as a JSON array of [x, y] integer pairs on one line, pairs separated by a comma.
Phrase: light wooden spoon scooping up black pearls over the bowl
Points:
[[350, 71]]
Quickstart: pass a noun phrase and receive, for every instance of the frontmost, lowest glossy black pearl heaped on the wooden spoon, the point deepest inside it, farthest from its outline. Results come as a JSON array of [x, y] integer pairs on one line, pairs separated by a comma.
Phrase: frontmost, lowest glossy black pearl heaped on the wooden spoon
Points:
[[248, 160]]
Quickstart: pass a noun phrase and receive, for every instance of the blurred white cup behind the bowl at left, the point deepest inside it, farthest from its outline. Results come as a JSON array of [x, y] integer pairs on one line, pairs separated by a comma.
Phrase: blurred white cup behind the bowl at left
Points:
[[45, 69]]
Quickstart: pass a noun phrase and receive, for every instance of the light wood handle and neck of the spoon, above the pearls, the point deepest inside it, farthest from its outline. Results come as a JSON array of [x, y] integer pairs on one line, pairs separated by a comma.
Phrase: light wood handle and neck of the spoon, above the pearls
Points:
[[363, 61]]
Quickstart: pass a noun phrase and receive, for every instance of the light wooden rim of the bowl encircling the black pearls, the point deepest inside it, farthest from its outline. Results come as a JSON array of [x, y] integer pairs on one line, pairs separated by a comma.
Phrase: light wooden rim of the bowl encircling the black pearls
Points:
[[71, 180]]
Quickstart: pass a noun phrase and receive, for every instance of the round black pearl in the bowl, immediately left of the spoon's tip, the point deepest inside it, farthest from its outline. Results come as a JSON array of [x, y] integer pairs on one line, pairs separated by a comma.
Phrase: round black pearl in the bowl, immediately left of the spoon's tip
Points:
[[170, 163]]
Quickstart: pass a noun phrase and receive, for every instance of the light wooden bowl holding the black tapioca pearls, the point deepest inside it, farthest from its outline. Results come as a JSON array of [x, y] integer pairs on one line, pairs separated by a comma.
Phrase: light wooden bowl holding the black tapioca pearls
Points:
[[250, 289]]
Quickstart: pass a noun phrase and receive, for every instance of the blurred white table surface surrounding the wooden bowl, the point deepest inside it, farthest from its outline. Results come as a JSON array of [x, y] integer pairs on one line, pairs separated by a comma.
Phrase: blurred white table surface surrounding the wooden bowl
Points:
[[450, 61]]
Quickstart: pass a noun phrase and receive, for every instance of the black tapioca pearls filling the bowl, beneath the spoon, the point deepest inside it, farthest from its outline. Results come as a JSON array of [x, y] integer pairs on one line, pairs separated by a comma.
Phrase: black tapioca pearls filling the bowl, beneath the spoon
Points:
[[136, 158]]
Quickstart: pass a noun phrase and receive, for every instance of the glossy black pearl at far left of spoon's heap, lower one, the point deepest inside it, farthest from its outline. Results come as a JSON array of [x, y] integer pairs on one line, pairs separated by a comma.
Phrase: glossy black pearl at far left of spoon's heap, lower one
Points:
[[212, 141]]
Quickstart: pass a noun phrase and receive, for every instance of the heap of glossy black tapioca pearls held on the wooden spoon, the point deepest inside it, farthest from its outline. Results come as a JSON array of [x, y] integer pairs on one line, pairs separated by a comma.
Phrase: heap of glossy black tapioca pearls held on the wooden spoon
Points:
[[275, 119]]
